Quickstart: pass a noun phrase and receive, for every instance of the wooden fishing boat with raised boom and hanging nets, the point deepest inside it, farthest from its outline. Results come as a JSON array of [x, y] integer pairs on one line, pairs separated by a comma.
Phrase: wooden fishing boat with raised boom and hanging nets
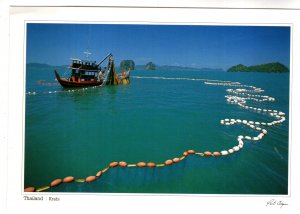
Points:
[[86, 73]]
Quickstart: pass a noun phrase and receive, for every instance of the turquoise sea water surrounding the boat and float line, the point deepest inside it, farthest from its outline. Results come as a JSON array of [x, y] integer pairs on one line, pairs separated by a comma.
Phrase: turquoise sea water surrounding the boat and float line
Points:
[[153, 119]]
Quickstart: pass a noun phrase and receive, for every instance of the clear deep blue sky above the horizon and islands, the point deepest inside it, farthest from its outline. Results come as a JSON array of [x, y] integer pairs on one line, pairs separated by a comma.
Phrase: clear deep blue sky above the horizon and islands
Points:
[[182, 45]]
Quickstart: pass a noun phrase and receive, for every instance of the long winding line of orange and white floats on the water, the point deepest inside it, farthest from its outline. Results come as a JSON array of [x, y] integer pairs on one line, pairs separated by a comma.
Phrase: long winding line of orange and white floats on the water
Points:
[[238, 96]]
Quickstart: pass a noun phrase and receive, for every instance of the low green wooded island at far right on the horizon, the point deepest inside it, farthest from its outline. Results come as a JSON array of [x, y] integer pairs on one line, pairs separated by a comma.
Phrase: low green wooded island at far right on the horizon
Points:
[[274, 67]]
